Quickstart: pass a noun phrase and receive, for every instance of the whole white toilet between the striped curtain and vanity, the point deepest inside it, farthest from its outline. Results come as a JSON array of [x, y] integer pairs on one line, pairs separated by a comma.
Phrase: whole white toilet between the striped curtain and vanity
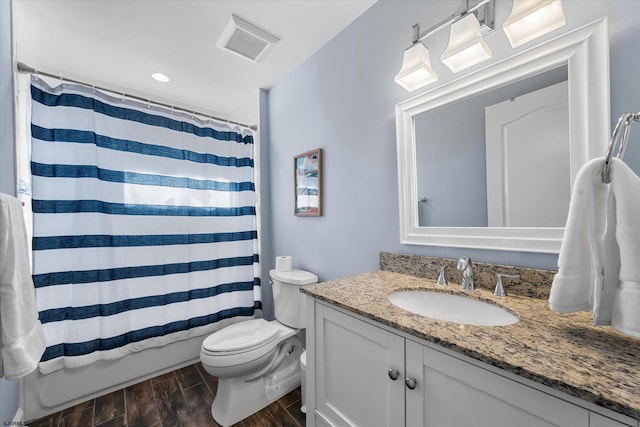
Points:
[[258, 361]]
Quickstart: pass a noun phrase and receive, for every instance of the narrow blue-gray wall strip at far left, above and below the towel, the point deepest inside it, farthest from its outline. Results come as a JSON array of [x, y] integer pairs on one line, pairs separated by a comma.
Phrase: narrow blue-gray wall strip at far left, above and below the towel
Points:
[[9, 390]]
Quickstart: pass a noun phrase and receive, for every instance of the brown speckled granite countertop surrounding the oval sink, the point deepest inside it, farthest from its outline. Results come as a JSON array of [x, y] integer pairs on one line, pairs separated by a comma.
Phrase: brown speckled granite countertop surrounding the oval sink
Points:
[[562, 351]]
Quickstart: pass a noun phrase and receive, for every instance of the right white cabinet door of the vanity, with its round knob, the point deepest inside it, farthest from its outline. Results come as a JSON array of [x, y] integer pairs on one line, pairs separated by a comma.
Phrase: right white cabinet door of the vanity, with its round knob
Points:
[[454, 393]]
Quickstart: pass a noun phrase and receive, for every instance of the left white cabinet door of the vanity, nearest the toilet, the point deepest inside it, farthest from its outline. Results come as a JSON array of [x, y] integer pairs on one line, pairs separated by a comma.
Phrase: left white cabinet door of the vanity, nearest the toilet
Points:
[[353, 385]]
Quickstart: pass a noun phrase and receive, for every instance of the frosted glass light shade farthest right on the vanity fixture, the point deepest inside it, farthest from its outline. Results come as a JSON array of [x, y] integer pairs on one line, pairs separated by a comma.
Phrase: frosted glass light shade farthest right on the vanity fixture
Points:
[[533, 18]]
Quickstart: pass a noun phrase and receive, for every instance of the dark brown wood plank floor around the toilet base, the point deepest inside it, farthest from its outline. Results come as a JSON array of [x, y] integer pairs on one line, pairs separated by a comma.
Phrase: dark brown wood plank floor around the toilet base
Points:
[[180, 398]]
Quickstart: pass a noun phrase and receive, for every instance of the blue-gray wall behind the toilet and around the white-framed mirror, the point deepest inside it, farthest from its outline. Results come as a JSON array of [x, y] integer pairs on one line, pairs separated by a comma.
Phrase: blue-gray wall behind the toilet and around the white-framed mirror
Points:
[[342, 99]]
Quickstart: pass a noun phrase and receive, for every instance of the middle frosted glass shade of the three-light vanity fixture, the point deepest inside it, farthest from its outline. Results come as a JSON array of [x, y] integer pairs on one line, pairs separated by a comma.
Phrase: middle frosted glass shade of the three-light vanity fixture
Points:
[[466, 45]]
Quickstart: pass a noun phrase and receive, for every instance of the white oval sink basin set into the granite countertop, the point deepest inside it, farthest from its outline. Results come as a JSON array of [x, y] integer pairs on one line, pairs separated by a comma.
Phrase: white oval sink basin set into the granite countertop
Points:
[[452, 308]]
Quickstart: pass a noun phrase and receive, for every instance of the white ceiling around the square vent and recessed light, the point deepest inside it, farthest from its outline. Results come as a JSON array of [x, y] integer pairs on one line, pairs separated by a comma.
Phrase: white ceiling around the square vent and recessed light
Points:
[[118, 43]]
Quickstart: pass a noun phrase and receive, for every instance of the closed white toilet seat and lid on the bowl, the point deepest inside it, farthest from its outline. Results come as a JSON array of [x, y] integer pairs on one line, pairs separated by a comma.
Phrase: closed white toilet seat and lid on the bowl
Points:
[[243, 342]]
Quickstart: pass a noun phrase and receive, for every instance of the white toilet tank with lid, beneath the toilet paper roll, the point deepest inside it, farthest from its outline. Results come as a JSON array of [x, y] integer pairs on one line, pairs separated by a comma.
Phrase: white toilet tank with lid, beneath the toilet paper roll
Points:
[[288, 301]]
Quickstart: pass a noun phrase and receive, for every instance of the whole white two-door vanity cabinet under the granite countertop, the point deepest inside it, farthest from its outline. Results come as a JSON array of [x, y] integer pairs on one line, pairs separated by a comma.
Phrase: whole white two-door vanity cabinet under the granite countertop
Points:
[[355, 361]]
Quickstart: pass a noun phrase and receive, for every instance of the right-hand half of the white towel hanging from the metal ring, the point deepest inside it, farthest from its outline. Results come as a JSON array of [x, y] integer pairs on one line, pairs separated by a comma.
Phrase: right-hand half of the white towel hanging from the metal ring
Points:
[[625, 185]]
